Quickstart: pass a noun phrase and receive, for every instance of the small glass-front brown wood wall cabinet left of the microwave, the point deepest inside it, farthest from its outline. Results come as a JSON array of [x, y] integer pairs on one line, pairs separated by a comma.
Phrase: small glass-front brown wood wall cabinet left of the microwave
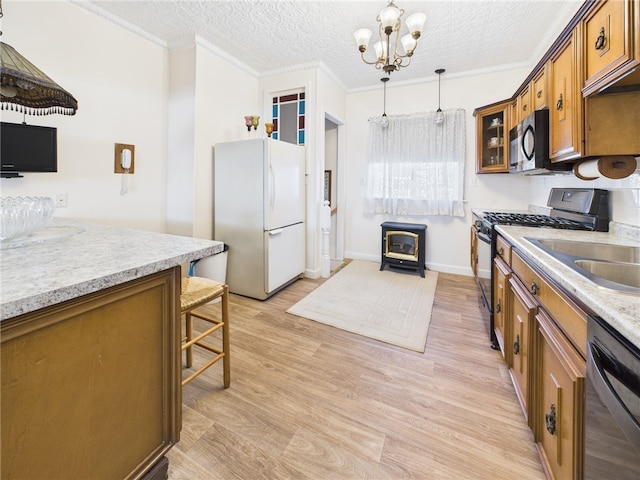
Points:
[[492, 138]]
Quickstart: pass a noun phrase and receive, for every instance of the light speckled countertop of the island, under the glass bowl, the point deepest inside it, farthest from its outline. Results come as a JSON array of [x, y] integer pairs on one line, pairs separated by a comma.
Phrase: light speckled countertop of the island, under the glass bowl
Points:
[[70, 259]]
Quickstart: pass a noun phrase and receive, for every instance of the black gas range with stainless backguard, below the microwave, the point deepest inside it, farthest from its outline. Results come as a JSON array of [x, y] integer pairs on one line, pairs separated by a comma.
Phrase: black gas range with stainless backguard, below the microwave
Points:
[[571, 208]]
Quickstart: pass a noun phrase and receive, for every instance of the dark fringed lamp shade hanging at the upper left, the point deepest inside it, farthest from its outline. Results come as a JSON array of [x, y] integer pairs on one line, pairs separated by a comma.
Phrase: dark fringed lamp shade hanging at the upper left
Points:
[[26, 88]]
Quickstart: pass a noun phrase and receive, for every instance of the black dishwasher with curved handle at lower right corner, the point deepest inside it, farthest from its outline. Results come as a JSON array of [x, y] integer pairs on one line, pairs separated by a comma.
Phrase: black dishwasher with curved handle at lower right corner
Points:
[[612, 407]]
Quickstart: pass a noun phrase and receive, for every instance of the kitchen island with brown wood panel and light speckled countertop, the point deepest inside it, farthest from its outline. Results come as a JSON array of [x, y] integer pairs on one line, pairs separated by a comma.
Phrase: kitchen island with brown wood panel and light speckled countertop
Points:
[[90, 343]]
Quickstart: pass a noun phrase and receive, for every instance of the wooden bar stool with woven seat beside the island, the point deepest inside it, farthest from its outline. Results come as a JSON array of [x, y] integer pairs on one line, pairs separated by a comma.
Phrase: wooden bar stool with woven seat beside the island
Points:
[[195, 292]]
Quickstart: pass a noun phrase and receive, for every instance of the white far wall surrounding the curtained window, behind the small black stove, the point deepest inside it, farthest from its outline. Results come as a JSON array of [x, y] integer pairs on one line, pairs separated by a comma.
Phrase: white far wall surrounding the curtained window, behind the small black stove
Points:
[[447, 237]]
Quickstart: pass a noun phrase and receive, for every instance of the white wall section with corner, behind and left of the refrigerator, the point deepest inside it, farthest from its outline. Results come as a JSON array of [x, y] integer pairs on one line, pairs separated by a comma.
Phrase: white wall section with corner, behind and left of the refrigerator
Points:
[[206, 107]]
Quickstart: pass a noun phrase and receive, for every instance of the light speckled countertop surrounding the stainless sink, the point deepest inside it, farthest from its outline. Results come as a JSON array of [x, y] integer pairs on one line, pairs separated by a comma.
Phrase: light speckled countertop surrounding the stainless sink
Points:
[[621, 310]]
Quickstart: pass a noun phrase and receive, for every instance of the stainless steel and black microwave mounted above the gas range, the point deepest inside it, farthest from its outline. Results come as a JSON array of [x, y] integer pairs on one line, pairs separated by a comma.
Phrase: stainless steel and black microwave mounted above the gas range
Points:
[[529, 146]]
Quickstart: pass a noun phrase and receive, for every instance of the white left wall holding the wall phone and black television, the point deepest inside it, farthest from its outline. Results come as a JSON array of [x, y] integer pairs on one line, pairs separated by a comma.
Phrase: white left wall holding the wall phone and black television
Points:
[[122, 99]]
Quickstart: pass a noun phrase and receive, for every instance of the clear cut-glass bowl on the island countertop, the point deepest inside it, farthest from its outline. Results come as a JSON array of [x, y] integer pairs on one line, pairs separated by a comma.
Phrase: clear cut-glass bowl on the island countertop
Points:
[[20, 216]]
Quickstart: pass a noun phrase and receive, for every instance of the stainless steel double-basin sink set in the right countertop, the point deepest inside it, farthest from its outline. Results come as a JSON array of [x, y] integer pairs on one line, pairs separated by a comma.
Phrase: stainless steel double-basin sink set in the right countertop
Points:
[[616, 267]]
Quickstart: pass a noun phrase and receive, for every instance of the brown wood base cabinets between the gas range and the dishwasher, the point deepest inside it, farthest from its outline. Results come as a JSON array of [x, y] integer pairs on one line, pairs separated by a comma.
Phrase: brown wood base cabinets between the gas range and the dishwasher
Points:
[[545, 349]]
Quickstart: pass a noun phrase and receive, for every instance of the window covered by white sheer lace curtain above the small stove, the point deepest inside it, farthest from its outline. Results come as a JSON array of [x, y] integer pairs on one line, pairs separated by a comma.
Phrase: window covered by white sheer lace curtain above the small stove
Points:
[[415, 166]]
